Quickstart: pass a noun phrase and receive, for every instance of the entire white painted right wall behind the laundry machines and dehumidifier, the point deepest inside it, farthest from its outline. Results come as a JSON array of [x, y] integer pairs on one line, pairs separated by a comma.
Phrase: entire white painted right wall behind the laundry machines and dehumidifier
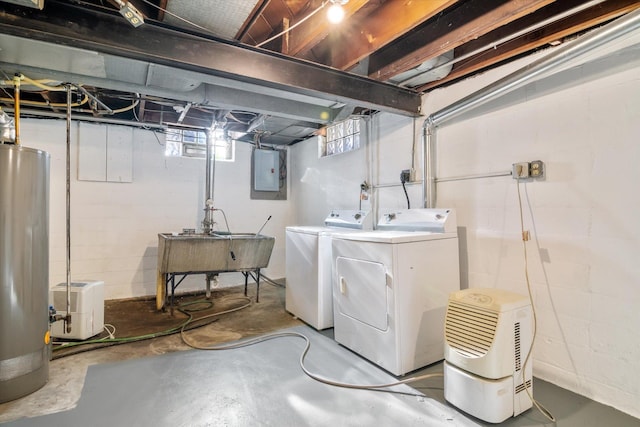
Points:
[[583, 259]]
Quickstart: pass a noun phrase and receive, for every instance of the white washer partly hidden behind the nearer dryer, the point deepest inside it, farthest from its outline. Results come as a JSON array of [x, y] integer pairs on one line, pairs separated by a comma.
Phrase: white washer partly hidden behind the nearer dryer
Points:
[[309, 262]]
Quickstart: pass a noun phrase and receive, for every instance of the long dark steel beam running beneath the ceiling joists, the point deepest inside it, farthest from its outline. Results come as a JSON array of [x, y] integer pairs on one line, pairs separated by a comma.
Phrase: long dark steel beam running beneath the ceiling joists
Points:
[[110, 34]]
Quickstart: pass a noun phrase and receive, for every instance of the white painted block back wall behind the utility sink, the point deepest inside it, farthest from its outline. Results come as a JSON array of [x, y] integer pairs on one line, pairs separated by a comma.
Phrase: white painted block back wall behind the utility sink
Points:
[[114, 226]]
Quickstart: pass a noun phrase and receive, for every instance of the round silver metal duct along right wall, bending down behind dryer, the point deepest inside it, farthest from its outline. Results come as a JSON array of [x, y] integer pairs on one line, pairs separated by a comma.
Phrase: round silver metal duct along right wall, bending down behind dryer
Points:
[[537, 69]]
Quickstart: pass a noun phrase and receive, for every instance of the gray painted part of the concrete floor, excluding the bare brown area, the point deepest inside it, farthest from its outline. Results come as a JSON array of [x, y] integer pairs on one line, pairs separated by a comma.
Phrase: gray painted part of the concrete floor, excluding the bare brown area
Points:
[[263, 384]]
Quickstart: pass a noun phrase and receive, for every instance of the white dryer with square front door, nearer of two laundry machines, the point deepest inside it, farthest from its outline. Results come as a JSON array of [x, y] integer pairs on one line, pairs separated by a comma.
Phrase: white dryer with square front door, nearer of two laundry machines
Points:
[[391, 287]]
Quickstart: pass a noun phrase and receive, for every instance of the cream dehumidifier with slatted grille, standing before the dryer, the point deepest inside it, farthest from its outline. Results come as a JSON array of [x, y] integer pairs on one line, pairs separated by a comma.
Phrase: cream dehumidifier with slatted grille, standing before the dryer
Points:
[[488, 333]]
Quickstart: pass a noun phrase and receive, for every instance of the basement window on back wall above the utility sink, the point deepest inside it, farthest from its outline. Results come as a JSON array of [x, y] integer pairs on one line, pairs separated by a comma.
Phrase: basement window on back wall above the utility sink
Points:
[[193, 143]]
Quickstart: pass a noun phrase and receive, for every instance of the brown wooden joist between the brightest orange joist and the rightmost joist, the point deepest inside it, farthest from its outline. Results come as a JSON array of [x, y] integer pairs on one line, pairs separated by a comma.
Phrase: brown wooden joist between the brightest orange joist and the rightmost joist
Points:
[[471, 20]]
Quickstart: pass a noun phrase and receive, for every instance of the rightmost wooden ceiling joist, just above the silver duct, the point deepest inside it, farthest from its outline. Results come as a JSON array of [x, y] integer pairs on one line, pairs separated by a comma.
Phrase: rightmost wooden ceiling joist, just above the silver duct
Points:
[[579, 22]]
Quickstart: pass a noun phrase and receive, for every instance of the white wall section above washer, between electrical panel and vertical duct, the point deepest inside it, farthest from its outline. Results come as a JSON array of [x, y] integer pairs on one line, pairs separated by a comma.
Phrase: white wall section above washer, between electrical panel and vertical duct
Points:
[[321, 184]]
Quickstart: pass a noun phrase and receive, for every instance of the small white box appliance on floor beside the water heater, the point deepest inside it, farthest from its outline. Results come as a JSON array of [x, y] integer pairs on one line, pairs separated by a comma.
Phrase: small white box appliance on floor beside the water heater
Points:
[[87, 309]]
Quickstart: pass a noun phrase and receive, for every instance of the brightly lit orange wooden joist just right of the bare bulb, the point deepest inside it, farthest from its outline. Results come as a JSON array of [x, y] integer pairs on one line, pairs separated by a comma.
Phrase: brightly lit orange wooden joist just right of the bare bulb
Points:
[[360, 37]]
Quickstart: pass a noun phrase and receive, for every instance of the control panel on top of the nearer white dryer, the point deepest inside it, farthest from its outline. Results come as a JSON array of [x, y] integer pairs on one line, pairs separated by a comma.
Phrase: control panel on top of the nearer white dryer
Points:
[[435, 220]]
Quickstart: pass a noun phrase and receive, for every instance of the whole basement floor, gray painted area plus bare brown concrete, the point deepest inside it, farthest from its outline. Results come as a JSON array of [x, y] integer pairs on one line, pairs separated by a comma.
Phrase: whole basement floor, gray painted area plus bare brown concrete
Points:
[[159, 382]]
